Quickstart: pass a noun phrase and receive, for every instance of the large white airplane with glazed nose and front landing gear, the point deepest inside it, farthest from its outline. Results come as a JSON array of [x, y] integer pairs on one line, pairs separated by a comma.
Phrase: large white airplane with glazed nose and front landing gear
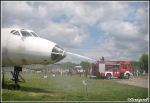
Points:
[[22, 48]]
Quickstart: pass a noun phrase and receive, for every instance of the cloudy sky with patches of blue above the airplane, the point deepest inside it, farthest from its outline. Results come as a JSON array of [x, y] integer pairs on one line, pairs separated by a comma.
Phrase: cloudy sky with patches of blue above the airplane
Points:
[[115, 30]]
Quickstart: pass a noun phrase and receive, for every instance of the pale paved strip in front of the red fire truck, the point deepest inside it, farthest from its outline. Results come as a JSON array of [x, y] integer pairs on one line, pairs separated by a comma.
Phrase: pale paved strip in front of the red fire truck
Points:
[[133, 80]]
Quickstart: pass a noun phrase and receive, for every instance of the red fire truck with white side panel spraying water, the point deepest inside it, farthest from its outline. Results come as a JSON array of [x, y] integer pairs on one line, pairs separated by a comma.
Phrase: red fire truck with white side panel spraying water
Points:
[[108, 69]]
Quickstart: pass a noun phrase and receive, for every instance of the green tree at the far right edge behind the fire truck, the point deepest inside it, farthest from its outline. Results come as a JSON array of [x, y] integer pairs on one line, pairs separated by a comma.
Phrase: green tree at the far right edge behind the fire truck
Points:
[[144, 61]]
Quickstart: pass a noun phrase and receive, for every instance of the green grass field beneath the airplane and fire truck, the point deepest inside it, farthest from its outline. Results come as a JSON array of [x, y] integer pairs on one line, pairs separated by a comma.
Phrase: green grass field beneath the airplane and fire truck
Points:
[[63, 88]]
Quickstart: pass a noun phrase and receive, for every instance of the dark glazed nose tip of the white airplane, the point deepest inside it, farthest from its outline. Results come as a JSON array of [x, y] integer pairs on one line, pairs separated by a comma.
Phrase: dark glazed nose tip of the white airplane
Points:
[[58, 53]]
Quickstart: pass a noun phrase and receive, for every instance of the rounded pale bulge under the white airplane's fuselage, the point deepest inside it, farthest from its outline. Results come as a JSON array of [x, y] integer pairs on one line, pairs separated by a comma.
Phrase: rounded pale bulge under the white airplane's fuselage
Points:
[[34, 66]]
